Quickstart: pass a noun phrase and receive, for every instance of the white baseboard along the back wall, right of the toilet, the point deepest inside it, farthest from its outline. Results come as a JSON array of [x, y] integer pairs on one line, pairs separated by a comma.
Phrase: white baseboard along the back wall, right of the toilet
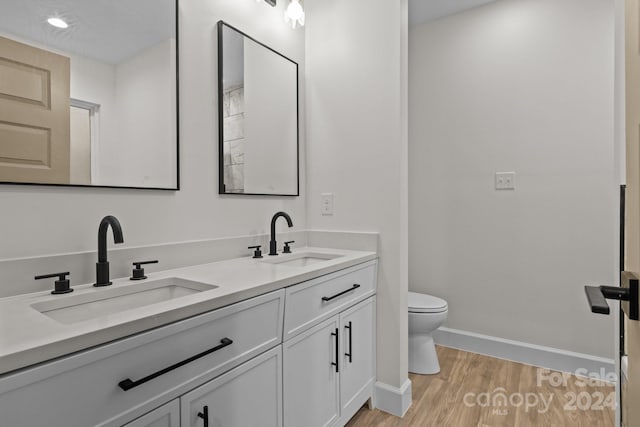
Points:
[[516, 351]]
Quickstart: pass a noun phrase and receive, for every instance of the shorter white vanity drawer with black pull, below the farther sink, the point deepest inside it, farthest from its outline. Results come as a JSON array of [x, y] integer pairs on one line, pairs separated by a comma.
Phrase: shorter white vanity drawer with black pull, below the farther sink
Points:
[[309, 303]]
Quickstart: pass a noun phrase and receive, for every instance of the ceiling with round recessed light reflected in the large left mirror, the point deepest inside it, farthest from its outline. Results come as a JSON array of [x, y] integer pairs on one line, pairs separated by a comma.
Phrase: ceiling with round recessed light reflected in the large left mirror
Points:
[[107, 30]]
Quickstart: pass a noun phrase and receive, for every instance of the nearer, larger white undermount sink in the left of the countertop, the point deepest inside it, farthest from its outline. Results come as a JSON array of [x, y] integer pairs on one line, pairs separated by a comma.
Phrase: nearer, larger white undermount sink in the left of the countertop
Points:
[[77, 308]]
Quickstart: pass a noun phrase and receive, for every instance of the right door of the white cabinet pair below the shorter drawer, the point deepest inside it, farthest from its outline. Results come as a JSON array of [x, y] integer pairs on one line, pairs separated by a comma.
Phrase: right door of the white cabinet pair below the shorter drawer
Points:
[[357, 371]]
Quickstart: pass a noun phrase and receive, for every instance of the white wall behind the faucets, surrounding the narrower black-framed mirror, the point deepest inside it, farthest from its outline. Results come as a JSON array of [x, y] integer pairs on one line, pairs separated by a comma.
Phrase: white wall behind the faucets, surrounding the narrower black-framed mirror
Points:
[[46, 220]]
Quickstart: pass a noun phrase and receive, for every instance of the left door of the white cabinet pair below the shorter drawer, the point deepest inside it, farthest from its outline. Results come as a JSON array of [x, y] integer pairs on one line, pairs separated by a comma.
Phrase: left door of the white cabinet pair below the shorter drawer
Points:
[[311, 365]]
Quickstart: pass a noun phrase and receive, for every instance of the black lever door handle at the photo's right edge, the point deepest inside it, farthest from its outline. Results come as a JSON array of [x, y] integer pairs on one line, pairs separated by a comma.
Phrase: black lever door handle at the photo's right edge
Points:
[[627, 293]]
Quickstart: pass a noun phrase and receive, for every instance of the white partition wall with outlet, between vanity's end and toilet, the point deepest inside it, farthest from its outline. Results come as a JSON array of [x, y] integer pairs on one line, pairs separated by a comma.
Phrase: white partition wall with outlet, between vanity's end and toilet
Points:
[[356, 144]]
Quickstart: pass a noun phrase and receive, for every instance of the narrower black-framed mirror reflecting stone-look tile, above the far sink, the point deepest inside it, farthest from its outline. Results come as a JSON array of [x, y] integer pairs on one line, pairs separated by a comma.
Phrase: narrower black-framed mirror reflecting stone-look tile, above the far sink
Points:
[[257, 117]]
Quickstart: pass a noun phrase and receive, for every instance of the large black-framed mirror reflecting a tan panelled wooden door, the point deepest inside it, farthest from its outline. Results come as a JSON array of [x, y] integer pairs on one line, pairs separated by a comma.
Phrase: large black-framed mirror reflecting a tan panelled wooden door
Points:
[[89, 93]]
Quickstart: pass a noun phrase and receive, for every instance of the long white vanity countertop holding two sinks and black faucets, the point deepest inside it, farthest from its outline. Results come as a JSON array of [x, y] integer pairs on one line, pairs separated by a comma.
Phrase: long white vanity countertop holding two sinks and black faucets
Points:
[[28, 337]]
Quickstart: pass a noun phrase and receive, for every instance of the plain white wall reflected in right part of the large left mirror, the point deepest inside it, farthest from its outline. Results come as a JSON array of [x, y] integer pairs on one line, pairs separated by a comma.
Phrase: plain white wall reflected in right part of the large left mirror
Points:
[[146, 97]]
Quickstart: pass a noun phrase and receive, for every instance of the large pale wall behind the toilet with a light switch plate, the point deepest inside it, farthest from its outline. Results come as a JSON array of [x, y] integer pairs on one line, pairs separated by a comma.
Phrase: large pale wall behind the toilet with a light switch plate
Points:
[[523, 86]]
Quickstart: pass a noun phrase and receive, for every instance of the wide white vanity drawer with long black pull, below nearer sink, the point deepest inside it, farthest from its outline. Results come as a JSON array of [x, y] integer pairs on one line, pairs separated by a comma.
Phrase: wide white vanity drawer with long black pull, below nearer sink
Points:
[[83, 389]]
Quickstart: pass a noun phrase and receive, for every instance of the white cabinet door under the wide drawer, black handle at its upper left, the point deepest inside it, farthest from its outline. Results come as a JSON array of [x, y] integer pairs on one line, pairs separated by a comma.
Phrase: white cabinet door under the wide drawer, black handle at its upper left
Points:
[[249, 395]]
